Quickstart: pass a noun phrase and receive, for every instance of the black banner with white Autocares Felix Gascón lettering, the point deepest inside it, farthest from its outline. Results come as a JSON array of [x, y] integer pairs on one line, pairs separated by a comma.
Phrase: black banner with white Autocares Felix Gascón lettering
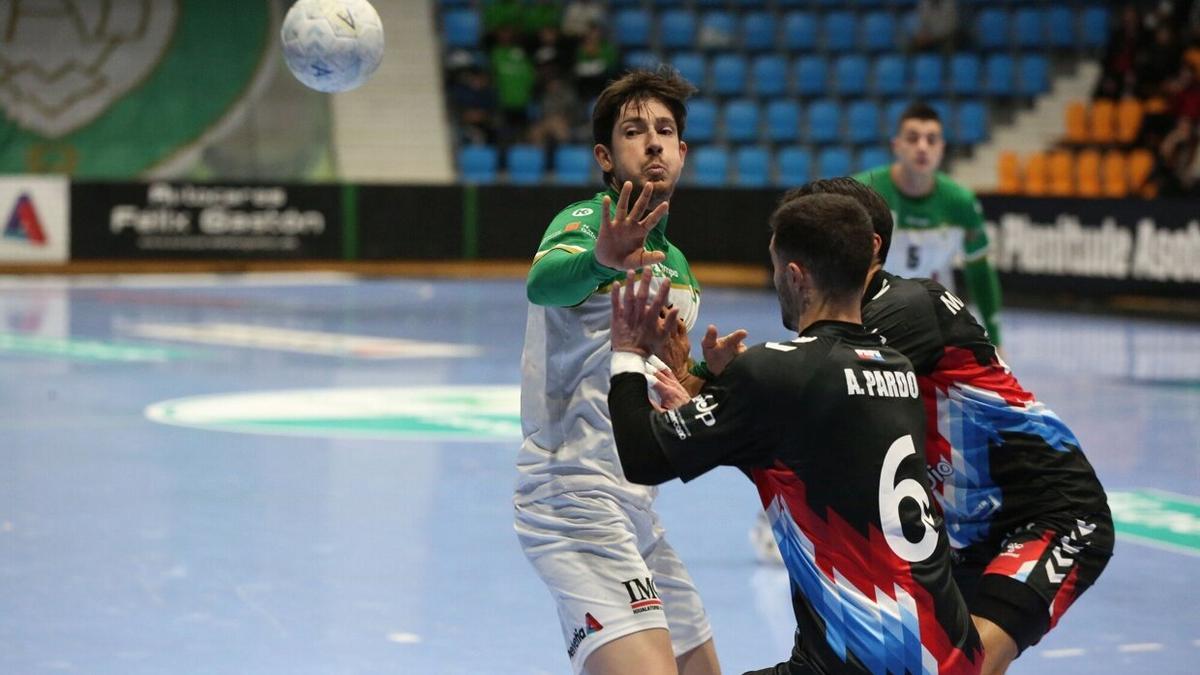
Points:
[[206, 222]]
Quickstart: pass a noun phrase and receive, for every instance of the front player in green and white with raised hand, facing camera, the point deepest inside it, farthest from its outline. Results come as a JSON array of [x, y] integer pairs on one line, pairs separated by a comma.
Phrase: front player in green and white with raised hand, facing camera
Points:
[[591, 535]]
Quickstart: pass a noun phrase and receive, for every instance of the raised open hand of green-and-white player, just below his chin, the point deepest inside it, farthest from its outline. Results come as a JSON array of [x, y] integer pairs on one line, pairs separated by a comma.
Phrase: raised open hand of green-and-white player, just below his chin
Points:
[[622, 240]]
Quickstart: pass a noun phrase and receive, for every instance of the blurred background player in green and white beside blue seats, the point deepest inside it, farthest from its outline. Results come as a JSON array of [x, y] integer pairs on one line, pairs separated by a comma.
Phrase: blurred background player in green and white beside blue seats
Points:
[[937, 220]]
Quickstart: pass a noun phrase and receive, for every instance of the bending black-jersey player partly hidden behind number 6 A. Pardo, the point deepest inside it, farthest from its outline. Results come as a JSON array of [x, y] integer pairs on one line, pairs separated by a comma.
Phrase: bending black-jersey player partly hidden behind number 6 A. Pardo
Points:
[[1027, 516]]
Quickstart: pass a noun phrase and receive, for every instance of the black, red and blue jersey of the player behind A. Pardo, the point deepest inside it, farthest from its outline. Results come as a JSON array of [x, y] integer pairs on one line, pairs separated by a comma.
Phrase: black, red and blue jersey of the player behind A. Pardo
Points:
[[998, 458]]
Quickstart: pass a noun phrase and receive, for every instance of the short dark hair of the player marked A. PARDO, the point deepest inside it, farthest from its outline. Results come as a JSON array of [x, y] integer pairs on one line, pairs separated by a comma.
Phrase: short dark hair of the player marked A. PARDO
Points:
[[831, 236]]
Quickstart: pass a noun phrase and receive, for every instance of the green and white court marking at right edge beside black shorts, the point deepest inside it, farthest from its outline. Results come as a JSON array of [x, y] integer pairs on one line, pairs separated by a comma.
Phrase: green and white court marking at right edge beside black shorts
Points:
[[1159, 519]]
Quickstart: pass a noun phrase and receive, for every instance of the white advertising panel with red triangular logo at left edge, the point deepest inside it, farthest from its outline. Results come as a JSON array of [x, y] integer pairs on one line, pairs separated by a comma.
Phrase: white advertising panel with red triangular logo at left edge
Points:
[[34, 211]]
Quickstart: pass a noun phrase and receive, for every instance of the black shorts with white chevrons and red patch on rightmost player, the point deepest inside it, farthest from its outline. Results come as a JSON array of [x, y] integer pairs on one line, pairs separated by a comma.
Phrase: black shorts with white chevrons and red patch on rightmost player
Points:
[[1027, 584]]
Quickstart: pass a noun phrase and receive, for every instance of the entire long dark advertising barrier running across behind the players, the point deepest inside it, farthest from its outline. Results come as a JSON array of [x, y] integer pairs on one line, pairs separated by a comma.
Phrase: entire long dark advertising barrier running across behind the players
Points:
[[1087, 248]]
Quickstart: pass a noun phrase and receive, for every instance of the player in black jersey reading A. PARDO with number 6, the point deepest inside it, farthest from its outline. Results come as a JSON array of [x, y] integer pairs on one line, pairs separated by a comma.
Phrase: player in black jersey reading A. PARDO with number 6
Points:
[[829, 426]]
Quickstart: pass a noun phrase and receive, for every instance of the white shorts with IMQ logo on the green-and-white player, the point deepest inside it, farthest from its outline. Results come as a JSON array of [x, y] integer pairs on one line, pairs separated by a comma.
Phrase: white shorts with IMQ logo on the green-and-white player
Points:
[[611, 574]]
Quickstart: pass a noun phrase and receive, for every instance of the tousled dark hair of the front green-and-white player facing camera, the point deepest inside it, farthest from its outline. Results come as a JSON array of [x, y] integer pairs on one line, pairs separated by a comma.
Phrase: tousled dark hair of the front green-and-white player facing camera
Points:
[[664, 85]]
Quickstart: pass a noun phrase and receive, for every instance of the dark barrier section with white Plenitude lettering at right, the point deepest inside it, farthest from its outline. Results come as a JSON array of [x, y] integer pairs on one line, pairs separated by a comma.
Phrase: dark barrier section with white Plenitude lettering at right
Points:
[[1096, 248]]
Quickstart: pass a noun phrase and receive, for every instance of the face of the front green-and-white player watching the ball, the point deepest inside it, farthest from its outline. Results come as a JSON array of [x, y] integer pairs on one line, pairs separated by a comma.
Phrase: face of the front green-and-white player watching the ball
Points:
[[646, 148]]
